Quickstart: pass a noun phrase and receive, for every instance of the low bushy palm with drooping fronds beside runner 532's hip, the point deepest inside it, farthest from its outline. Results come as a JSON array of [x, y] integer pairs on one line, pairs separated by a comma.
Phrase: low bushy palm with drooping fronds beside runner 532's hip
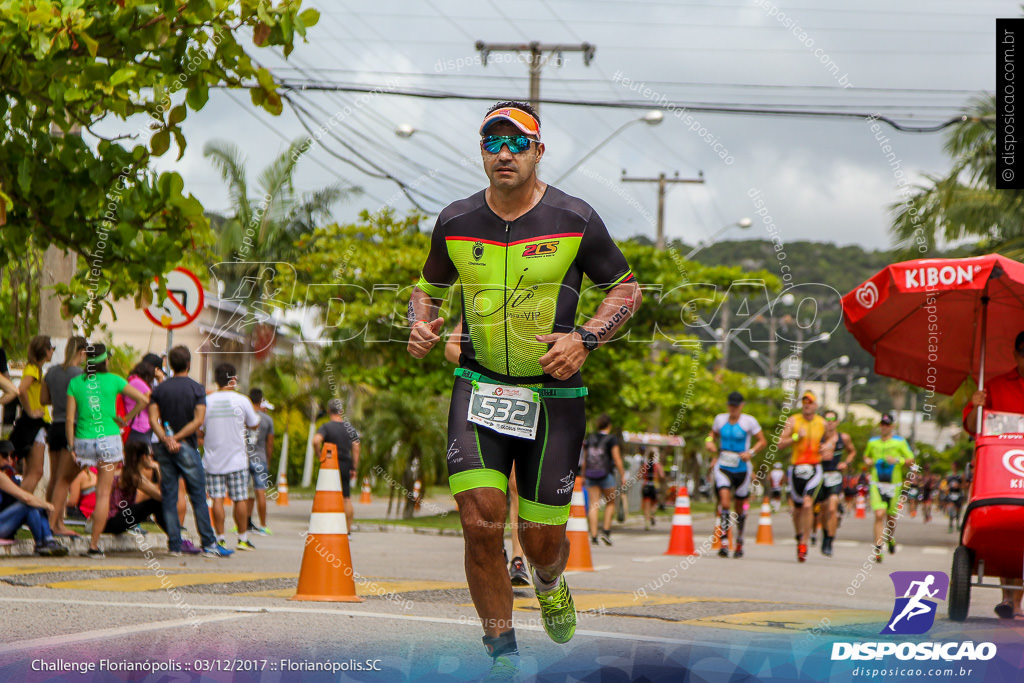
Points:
[[404, 439]]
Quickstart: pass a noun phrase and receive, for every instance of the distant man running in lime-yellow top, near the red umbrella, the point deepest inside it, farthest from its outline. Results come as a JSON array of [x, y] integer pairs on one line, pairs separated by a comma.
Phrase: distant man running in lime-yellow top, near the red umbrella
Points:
[[889, 457]]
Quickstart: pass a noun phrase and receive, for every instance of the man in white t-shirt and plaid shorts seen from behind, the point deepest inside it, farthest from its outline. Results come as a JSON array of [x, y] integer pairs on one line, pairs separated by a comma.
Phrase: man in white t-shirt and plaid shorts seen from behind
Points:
[[227, 463]]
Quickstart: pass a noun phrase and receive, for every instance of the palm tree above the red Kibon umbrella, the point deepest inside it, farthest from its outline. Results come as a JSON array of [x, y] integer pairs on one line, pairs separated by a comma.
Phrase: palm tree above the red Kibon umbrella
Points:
[[965, 202]]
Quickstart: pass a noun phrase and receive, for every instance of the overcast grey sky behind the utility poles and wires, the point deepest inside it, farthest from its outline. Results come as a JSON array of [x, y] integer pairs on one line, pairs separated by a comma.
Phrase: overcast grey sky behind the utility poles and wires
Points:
[[821, 179]]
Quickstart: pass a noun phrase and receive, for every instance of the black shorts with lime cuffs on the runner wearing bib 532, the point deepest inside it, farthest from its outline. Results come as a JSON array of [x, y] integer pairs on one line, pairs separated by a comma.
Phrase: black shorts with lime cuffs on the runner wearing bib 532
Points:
[[545, 468]]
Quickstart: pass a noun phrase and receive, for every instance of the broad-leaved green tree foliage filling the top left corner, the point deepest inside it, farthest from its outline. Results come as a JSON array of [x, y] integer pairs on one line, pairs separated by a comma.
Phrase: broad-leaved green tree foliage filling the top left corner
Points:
[[66, 67]]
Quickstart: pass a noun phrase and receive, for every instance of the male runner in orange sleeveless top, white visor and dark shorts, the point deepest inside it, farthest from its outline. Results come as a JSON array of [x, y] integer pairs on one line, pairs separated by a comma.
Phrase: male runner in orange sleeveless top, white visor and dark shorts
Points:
[[804, 433]]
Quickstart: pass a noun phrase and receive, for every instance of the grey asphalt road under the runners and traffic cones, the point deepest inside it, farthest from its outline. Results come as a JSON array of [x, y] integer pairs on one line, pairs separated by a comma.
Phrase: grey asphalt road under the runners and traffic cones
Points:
[[712, 616]]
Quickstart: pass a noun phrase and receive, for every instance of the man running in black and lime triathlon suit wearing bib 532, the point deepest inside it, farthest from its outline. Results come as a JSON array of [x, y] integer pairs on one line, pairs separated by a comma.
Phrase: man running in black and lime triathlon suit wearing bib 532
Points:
[[521, 248]]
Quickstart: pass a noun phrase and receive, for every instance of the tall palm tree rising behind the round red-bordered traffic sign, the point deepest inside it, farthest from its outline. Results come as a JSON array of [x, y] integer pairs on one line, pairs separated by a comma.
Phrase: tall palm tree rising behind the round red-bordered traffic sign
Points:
[[267, 224]]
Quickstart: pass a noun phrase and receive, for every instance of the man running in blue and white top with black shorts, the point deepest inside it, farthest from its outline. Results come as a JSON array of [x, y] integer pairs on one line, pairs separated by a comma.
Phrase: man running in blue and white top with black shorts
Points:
[[731, 441]]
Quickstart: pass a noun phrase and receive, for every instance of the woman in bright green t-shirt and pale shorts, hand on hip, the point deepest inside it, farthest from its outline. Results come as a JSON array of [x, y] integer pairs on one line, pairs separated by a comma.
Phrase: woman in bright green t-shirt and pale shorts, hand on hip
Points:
[[96, 437]]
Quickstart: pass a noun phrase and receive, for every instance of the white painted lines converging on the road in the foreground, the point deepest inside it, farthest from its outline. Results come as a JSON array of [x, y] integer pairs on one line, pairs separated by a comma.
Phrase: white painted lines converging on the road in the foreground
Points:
[[239, 612]]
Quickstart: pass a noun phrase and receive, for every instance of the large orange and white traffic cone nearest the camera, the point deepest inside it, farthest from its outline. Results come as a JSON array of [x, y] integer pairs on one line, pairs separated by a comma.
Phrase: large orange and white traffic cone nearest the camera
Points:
[[327, 563]]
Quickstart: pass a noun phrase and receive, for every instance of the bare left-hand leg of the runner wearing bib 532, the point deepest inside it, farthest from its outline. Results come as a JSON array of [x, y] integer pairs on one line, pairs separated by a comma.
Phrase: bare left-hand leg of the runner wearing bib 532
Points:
[[483, 516]]
